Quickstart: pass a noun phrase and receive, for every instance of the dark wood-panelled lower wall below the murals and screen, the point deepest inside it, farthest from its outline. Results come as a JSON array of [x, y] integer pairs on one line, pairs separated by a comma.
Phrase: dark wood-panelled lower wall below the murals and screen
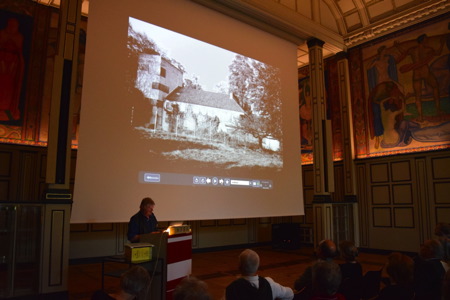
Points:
[[400, 199]]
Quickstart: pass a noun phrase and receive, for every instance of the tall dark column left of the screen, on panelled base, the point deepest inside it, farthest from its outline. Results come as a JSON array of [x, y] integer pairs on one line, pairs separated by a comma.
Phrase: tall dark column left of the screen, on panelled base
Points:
[[57, 199]]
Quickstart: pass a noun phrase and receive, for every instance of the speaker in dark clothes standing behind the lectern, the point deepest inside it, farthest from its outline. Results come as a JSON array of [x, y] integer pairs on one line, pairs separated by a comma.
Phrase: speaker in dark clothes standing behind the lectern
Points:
[[143, 221]]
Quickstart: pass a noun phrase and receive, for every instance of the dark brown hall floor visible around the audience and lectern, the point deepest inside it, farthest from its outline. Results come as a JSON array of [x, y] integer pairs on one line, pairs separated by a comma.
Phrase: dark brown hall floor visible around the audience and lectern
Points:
[[218, 269]]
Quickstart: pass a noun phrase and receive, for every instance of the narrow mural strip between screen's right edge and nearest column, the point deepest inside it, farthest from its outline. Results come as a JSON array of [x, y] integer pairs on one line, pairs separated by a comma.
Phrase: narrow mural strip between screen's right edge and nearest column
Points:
[[305, 115]]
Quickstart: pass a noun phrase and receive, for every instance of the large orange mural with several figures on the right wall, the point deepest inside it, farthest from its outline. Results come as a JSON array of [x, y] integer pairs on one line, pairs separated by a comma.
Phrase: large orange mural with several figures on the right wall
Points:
[[407, 80]]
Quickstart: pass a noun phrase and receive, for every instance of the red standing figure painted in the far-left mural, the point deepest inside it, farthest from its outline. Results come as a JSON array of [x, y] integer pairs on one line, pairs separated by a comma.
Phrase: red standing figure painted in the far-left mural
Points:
[[11, 70]]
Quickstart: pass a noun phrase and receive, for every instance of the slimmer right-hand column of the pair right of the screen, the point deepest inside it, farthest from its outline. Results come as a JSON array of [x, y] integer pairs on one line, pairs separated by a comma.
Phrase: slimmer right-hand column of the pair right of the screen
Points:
[[348, 144]]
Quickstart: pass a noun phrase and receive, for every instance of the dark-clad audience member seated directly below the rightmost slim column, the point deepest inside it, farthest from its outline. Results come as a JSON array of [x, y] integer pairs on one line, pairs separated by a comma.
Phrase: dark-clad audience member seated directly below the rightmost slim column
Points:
[[351, 271]]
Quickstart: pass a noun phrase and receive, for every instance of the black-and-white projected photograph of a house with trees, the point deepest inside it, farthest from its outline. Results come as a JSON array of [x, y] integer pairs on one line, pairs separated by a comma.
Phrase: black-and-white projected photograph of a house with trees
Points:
[[192, 101]]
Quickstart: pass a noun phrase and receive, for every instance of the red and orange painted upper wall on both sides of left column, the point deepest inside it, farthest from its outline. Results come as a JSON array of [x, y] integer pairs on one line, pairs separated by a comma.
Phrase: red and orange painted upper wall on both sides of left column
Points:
[[27, 122]]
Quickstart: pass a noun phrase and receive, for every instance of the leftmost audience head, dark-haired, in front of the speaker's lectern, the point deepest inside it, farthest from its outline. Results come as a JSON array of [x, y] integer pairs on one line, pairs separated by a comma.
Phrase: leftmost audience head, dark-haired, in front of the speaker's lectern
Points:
[[135, 282]]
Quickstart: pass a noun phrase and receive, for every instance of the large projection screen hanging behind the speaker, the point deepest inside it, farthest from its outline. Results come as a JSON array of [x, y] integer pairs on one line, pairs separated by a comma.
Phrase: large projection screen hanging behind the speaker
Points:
[[189, 107]]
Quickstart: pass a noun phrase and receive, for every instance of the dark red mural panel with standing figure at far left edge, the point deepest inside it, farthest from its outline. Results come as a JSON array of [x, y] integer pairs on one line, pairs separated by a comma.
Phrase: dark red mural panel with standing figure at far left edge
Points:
[[15, 43]]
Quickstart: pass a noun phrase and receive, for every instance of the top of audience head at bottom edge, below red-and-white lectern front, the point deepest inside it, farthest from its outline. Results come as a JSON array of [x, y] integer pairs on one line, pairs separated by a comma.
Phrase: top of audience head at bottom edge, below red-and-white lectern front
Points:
[[191, 288]]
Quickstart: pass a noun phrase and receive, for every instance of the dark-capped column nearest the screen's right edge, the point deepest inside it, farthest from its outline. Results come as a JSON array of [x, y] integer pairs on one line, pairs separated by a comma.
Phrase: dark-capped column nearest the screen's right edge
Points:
[[322, 146]]
